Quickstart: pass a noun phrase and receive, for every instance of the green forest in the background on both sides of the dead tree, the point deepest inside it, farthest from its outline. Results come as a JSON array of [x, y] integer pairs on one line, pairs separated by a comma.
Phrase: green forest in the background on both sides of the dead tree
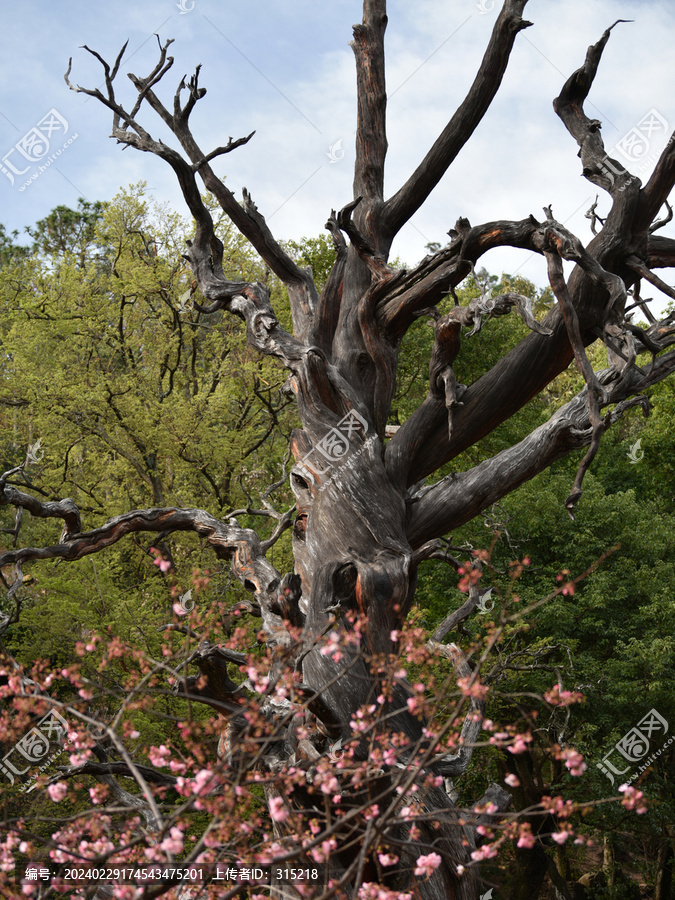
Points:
[[130, 397]]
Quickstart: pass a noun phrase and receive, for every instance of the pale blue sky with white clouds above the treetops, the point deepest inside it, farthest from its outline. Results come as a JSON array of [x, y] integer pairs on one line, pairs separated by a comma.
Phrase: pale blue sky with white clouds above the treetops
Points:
[[286, 71]]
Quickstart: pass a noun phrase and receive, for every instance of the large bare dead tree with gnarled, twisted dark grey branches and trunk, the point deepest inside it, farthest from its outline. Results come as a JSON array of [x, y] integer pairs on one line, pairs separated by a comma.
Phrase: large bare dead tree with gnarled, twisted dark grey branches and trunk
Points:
[[363, 521]]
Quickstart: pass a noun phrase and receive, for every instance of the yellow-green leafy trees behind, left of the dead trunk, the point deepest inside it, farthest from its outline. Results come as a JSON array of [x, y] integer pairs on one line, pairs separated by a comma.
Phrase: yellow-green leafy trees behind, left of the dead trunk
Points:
[[137, 400]]
